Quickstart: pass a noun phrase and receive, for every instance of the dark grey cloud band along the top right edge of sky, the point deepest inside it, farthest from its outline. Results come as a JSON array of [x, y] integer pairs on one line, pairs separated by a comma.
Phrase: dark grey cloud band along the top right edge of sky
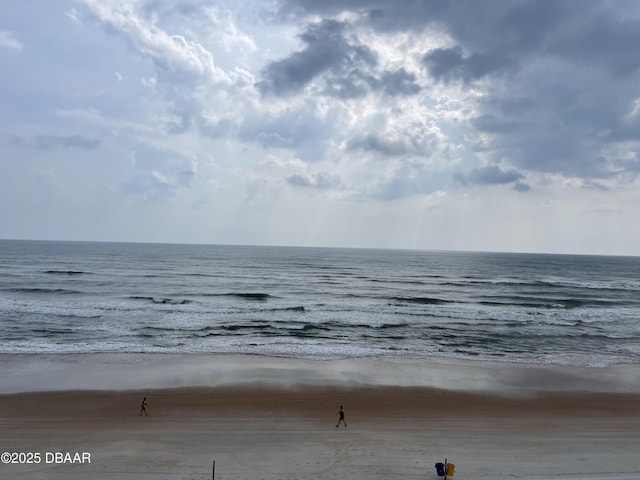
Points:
[[501, 32]]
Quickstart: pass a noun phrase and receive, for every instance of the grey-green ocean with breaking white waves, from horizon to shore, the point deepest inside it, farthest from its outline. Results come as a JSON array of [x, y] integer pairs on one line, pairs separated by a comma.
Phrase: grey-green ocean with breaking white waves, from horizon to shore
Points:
[[318, 302]]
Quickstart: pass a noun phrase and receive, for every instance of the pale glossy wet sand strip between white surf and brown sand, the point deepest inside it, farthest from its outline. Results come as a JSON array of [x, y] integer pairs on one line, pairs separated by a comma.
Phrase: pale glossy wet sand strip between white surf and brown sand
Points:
[[138, 371]]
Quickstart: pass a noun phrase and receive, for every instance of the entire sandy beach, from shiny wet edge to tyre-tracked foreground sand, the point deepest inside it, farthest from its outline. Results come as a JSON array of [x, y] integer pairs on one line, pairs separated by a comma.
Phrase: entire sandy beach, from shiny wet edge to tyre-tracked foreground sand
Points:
[[256, 429]]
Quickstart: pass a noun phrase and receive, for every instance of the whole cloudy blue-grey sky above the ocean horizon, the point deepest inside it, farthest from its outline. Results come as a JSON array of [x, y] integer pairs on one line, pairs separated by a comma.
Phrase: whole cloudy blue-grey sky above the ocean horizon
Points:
[[497, 125]]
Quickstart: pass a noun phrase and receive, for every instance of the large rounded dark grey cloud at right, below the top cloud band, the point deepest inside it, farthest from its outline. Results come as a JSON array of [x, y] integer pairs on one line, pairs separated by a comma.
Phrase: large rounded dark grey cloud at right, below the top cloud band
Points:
[[566, 126]]
